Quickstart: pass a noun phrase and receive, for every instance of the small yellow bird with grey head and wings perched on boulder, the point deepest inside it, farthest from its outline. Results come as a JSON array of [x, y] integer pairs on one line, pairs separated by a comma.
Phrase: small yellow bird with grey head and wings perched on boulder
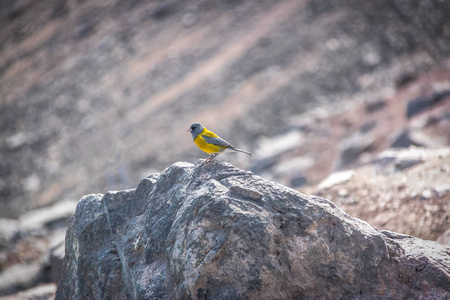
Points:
[[210, 142]]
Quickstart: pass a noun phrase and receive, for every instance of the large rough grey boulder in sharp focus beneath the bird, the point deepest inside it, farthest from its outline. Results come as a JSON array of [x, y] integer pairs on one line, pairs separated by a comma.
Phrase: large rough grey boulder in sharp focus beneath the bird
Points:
[[216, 232]]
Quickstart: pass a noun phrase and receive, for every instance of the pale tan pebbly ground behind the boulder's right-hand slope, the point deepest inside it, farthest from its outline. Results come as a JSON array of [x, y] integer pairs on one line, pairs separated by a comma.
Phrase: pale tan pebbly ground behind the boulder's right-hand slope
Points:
[[402, 190]]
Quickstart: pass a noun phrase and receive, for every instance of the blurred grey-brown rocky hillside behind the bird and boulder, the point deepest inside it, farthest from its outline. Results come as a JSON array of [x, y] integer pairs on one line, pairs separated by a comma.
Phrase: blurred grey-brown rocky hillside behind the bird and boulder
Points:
[[96, 95]]
